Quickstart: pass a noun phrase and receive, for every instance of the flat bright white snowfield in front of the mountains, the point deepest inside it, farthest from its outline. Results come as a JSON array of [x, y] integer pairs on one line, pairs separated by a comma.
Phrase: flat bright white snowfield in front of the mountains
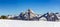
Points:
[[20, 23]]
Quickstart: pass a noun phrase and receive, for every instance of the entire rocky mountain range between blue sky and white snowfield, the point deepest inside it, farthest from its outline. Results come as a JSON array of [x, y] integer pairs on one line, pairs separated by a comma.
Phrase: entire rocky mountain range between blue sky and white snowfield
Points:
[[29, 15]]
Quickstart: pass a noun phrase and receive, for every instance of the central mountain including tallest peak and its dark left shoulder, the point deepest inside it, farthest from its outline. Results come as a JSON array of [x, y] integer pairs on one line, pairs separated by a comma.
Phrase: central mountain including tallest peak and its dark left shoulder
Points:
[[28, 15]]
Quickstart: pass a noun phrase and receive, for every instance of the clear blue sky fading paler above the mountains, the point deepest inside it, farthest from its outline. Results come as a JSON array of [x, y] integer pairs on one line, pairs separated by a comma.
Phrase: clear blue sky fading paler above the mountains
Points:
[[12, 7]]
